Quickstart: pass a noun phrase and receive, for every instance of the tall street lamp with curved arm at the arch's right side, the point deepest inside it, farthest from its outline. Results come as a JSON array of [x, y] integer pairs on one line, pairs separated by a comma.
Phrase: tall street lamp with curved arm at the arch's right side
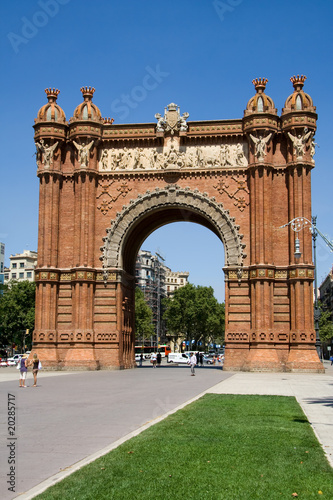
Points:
[[297, 225]]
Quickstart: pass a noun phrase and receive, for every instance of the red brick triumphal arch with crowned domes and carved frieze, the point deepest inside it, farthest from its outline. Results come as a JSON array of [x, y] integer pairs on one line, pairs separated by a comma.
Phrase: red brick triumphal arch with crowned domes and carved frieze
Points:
[[104, 187]]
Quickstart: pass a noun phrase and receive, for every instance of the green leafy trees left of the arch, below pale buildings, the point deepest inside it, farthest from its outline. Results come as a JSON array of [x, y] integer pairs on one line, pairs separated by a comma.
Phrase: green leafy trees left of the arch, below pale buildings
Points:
[[17, 312]]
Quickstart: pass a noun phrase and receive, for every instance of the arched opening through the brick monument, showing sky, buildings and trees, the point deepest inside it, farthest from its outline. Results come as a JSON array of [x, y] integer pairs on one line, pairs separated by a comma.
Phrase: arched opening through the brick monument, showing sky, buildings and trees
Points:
[[171, 257]]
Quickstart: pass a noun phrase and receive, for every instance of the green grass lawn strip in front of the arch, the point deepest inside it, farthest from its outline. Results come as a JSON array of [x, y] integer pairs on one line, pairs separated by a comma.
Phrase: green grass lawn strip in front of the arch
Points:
[[219, 447]]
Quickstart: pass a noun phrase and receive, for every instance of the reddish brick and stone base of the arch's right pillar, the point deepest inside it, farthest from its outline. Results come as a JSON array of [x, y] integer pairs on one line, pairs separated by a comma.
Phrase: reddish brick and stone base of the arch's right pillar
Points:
[[259, 358]]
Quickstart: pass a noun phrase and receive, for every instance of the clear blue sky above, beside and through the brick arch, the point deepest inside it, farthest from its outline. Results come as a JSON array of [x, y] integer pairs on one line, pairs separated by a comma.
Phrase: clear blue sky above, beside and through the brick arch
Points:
[[205, 55]]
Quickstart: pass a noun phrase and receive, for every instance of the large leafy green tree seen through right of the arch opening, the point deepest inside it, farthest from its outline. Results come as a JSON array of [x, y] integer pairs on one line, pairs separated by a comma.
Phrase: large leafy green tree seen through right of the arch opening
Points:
[[195, 314]]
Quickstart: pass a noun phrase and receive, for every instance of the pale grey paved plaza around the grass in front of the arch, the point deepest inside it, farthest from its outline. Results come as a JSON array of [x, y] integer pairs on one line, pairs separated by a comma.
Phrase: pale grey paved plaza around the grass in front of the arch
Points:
[[71, 418]]
